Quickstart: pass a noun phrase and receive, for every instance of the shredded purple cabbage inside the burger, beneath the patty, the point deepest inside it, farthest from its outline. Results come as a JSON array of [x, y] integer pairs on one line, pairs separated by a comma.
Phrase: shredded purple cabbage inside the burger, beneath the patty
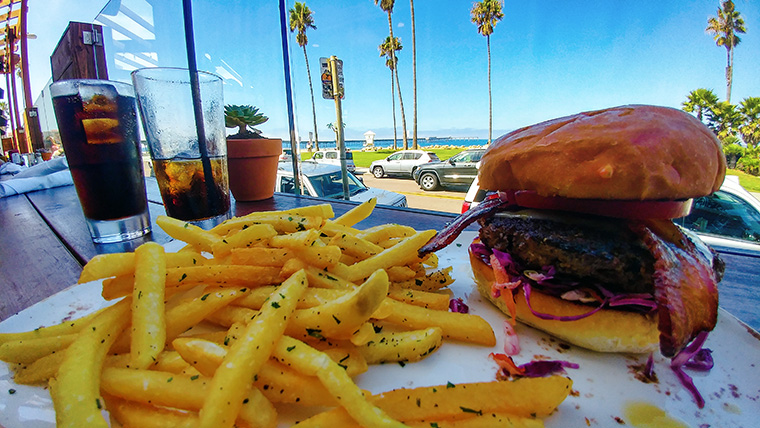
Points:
[[550, 285]]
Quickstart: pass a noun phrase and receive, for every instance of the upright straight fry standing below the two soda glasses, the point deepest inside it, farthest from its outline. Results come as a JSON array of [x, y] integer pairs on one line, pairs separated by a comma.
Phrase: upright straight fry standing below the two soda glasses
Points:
[[148, 322]]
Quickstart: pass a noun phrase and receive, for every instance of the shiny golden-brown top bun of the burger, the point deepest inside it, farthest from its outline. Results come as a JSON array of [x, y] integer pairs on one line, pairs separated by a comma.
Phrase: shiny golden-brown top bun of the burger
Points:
[[633, 152]]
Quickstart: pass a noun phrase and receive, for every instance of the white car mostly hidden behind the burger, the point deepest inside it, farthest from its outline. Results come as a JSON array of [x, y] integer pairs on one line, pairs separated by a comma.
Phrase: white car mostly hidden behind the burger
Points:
[[727, 219]]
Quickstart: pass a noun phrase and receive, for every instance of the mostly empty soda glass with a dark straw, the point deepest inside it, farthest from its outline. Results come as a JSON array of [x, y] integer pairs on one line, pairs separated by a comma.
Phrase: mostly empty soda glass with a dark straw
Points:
[[191, 175]]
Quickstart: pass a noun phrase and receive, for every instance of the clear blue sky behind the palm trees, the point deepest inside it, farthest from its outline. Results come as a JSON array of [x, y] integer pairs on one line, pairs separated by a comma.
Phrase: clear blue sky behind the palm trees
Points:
[[549, 58]]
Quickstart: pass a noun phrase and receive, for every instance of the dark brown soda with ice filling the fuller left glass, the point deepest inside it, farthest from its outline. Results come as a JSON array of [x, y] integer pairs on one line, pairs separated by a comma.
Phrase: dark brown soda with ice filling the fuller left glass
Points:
[[102, 148]]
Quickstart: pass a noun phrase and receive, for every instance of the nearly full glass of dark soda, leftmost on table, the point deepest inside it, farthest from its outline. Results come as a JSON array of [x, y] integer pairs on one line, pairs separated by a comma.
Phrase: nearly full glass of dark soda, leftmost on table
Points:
[[97, 120]]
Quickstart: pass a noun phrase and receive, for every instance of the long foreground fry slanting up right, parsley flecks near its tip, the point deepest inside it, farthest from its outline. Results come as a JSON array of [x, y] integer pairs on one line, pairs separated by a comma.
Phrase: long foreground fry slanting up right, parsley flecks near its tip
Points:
[[231, 381]]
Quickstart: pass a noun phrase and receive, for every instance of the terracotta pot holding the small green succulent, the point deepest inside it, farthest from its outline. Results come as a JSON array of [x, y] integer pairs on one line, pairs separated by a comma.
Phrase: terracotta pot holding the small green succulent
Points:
[[252, 167]]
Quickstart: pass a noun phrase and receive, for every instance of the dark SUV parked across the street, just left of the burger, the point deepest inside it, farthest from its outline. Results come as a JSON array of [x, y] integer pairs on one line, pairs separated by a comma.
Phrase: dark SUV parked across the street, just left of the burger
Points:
[[459, 170]]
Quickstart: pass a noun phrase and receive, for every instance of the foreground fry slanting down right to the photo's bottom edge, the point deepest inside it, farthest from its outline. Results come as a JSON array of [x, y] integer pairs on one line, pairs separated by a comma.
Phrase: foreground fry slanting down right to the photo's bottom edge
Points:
[[309, 361]]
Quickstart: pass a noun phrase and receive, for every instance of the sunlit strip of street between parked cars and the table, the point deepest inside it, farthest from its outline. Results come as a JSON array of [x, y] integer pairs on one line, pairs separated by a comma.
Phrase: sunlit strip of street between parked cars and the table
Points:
[[439, 200]]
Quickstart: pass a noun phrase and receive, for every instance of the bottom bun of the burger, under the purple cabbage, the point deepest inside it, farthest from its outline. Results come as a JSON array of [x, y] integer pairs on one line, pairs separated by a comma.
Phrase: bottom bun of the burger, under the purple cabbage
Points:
[[603, 331]]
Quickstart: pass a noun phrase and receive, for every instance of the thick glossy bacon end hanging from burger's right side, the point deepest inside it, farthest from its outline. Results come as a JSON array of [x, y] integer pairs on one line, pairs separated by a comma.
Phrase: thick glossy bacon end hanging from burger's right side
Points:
[[685, 283]]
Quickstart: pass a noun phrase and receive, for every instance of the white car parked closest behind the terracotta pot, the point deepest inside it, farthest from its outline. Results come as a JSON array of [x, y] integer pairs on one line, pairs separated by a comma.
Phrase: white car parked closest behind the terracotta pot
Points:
[[324, 181]]
